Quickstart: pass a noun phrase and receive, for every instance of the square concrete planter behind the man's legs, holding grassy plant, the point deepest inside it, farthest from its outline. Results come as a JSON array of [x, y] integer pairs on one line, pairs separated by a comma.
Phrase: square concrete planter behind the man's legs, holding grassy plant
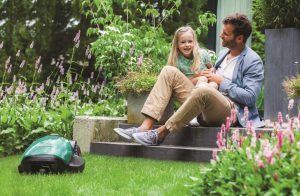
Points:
[[134, 107]]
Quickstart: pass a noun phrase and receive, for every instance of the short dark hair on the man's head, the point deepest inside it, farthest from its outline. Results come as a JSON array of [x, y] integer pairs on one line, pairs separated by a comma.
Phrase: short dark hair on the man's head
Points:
[[241, 23]]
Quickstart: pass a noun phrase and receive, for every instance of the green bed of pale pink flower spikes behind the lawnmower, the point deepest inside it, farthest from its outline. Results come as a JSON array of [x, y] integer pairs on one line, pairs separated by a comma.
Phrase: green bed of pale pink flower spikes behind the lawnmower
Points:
[[30, 110]]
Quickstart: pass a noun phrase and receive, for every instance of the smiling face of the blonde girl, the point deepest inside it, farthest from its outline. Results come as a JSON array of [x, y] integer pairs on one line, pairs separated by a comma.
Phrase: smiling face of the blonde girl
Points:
[[186, 44]]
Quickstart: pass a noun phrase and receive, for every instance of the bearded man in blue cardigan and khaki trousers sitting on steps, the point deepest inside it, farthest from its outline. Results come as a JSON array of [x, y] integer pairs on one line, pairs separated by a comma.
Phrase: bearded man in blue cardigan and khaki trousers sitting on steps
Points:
[[239, 72]]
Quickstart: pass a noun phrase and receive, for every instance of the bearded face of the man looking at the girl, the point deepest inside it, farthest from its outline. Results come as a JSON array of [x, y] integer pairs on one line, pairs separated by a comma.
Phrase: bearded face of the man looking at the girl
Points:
[[228, 37]]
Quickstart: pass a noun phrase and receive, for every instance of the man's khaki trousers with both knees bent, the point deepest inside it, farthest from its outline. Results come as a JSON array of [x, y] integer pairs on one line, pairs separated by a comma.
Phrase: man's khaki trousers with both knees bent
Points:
[[207, 103]]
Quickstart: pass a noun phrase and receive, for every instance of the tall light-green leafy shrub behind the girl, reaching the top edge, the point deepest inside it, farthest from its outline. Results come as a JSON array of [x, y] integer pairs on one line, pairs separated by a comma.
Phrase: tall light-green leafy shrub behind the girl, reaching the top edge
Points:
[[123, 38]]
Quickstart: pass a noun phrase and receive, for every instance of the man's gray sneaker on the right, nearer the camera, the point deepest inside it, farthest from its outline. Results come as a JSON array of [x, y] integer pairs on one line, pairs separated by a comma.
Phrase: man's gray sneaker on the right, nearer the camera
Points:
[[149, 138]]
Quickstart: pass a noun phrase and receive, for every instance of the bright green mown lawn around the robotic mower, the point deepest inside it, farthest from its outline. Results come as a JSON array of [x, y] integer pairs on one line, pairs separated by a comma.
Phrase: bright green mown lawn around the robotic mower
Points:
[[103, 175]]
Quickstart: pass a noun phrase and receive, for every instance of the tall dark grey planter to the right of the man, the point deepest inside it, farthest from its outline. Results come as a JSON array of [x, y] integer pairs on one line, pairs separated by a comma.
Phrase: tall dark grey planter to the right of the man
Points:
[[282, 60]]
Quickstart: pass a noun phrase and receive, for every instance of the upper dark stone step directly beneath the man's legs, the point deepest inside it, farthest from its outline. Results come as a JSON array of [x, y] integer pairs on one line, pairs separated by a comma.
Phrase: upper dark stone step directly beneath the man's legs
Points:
[[195, 136]]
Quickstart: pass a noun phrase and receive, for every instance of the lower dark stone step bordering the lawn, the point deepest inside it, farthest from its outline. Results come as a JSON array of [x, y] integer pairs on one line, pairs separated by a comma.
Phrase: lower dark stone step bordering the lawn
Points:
[[163, 152]]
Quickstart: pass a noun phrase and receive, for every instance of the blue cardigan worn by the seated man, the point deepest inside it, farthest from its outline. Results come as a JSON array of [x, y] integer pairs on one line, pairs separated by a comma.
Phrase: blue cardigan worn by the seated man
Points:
[[245, 85]]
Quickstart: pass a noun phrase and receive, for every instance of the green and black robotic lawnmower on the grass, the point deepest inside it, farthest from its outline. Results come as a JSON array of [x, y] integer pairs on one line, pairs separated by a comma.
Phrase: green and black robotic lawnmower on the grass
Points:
[[52, 154]]
